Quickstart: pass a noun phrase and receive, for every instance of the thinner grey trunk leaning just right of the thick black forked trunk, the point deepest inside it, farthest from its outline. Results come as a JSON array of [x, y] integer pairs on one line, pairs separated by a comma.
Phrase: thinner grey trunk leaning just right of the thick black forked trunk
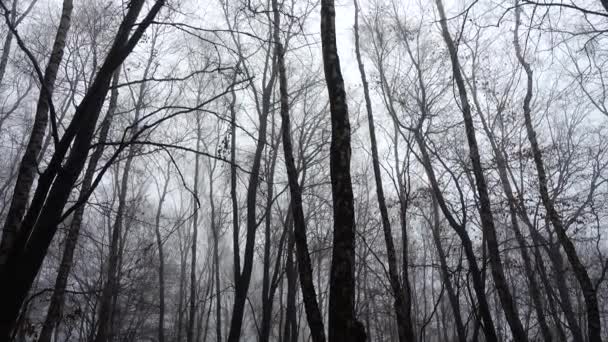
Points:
[[55, 309]]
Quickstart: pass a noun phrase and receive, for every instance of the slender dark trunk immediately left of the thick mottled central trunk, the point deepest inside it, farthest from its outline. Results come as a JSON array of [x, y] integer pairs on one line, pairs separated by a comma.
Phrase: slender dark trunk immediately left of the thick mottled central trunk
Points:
[[313, 314]]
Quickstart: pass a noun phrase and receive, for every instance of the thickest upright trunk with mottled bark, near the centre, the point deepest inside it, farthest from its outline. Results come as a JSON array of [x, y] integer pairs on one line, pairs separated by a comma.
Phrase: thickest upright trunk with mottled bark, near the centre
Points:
[[343, 325]]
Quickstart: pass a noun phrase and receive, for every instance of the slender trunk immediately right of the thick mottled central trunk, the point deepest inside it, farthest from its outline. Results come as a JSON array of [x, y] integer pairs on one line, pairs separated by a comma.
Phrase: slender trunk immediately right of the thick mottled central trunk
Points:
[[405, 327]]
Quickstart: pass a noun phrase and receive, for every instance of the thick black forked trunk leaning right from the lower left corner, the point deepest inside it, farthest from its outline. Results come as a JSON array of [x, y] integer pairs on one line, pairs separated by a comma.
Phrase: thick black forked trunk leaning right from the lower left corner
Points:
[[56, 183]]
